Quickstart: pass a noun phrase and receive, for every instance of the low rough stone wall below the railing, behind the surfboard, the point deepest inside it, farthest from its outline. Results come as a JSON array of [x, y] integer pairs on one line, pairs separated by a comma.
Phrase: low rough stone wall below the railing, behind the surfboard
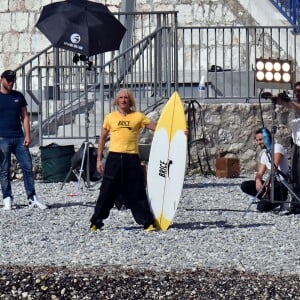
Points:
[[226, 130]]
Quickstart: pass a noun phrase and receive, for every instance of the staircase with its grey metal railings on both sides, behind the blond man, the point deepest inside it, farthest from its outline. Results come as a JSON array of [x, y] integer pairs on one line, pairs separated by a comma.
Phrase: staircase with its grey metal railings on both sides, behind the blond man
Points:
[[69, 97]]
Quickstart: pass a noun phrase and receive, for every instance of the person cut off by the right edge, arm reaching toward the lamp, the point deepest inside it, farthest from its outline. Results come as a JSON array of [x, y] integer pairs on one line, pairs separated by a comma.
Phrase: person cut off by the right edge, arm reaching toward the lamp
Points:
[[285, 101]]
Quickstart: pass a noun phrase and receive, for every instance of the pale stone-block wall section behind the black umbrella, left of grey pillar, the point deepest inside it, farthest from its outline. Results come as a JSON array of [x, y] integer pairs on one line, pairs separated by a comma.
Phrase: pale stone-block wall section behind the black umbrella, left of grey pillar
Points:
[[20, 39]]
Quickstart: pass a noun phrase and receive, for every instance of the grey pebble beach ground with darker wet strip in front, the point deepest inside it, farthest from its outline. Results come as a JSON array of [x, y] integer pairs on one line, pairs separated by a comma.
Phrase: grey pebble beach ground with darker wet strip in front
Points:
[[215, 249]]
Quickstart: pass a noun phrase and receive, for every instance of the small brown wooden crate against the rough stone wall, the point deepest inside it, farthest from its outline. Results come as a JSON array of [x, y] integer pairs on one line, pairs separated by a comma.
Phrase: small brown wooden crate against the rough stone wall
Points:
[[227, 167]]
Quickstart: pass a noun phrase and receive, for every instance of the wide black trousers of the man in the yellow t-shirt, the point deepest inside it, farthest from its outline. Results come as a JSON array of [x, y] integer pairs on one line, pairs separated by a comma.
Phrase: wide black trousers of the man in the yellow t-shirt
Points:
[[123, 176]]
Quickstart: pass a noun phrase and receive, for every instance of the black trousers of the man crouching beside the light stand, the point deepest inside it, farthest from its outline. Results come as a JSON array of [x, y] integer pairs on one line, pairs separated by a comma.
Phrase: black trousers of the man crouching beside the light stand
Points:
[[280, 194]]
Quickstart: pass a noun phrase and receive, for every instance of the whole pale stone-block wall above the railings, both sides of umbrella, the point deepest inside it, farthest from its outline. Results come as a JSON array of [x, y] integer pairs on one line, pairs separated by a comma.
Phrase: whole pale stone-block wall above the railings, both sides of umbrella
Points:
[[21, 40]]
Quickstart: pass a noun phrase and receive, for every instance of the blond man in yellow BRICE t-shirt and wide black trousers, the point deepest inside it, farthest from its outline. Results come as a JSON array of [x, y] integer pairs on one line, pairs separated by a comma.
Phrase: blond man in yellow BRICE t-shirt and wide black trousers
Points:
[[122, 174]]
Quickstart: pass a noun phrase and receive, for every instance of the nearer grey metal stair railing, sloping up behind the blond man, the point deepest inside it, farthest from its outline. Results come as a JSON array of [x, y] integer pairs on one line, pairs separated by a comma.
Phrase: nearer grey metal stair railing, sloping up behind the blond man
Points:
[[75, 106]]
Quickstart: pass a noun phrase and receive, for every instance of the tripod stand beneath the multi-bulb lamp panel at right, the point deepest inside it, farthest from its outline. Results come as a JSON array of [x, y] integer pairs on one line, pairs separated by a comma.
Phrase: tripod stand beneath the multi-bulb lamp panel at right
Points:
[[275, 173]]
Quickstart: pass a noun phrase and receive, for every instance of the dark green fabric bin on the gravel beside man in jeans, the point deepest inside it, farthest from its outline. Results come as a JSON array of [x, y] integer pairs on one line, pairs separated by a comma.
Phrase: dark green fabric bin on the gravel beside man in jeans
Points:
[[56, 162]]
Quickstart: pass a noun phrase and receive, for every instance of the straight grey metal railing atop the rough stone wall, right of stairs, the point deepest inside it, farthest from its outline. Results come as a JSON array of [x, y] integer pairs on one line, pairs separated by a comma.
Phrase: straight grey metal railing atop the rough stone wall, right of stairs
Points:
[[225, 56]]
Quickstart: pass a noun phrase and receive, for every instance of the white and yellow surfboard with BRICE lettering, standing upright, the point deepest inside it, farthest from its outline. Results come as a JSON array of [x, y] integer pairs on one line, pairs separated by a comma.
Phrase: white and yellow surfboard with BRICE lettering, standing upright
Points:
[[167, 161]]
